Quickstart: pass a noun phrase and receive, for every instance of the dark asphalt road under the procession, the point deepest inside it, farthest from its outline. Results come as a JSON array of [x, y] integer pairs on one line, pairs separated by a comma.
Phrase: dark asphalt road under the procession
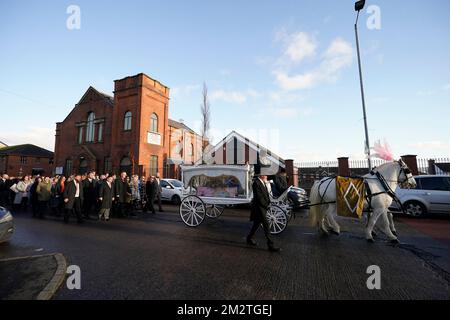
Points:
[[158, 257]]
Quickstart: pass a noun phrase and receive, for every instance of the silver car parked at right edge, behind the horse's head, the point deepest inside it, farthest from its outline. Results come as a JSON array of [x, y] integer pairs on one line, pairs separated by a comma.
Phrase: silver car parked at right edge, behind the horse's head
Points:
[[432, 195]]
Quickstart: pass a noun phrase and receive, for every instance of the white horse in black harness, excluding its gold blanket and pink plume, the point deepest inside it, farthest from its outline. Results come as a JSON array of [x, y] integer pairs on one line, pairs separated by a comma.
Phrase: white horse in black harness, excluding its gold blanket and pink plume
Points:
[[323, 199]]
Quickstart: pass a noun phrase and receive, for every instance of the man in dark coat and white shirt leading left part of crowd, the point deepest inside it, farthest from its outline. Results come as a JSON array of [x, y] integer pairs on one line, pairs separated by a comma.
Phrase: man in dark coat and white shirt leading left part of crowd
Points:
[[73, 199]]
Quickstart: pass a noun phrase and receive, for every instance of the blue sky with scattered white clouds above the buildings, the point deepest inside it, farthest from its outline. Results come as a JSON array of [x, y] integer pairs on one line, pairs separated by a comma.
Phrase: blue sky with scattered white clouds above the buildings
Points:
[[283, 73]]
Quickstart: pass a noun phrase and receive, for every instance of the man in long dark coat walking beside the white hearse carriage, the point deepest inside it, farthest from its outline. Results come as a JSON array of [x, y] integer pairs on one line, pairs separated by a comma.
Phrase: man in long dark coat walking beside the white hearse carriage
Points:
[[259, 206]]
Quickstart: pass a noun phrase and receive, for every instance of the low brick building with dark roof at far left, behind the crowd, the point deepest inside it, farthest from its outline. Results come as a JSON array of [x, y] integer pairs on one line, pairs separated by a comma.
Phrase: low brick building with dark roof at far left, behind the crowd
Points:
[[25, 159]]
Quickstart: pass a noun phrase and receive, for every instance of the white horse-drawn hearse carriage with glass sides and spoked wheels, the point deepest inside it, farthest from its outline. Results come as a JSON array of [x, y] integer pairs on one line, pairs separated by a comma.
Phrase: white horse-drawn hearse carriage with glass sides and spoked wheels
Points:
[[211, 188]]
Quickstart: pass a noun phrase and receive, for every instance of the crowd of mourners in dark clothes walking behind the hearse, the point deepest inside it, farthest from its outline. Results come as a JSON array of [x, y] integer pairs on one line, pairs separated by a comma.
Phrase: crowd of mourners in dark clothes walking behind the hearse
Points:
[[84, 196]]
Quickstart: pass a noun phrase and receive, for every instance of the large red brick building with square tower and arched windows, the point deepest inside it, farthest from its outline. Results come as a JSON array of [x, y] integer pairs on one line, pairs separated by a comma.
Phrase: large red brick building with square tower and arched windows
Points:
[[129, 132]]
